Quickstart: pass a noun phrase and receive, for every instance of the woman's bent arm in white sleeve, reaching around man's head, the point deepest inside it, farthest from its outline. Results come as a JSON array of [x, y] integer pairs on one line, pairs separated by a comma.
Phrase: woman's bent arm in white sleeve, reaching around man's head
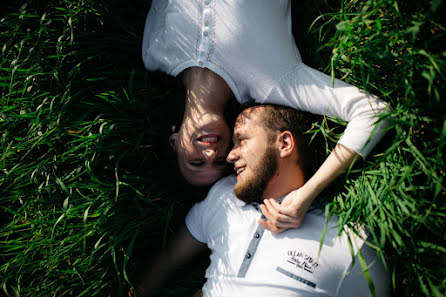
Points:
[[313, 91]]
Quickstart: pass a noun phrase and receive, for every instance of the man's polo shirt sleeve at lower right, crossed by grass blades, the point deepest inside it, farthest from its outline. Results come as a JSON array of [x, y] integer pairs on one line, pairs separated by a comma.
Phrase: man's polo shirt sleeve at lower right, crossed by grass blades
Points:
[[354, 283]]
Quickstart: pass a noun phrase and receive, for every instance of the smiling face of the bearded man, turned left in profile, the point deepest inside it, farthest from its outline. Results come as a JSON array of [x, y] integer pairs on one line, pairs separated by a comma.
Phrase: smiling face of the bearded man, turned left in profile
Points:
[[253, 156]]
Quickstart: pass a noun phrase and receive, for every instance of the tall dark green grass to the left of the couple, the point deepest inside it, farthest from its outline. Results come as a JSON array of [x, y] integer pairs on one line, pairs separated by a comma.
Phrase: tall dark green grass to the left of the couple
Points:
[[78, 166]]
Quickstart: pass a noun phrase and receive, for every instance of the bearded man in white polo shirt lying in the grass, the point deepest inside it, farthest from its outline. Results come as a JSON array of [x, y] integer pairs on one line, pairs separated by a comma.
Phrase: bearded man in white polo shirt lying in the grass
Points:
[[269, 158]]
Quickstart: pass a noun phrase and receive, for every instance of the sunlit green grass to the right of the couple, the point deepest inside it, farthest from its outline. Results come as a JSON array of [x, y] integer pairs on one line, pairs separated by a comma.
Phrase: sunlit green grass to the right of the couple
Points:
[[396, 50]]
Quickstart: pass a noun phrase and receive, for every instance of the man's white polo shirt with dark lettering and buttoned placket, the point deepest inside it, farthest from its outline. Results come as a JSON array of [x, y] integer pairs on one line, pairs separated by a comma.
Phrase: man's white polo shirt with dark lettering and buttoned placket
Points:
[[248, 261]]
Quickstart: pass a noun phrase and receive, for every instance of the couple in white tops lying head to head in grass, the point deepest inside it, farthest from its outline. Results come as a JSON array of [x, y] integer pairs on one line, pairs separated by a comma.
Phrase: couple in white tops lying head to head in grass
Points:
[[245, 49]]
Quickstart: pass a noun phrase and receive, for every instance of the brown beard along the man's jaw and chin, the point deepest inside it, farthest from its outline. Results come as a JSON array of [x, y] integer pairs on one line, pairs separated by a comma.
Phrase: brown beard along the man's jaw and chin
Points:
[[251, 190]]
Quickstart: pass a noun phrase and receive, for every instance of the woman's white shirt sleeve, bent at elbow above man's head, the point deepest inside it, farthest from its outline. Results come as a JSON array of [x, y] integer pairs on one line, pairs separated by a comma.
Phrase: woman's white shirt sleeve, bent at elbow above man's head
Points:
[[307, 89]]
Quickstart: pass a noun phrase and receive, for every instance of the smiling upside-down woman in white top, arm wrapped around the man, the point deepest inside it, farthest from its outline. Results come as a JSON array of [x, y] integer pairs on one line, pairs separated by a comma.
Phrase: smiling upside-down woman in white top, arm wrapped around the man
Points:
[[245, 48]]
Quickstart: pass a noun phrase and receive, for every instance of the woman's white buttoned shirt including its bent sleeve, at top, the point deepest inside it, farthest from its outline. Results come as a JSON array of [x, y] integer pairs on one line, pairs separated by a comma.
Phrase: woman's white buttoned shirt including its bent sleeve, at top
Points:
[[249, 44]]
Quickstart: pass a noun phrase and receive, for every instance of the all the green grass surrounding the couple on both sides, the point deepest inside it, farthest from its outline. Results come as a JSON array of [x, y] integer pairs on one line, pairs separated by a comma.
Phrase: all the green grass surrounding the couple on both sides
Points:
[[83, 203]]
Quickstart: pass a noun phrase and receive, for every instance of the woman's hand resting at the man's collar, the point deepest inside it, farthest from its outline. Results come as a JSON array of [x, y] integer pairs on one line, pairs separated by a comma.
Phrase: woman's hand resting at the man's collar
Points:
[[289, 214]]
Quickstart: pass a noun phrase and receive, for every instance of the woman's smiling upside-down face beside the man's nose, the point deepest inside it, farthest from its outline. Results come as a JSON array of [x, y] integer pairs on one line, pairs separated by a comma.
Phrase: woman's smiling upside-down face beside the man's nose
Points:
[[202, 146]]
